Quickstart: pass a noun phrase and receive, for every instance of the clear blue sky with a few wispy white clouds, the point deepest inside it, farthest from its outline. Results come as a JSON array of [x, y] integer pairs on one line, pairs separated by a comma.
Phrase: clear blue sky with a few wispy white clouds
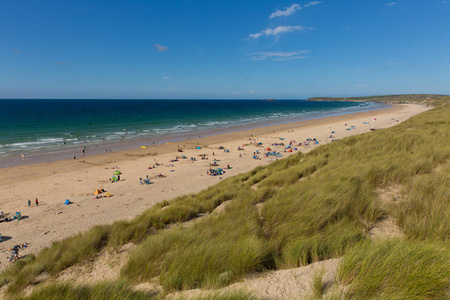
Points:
[[226, 49]]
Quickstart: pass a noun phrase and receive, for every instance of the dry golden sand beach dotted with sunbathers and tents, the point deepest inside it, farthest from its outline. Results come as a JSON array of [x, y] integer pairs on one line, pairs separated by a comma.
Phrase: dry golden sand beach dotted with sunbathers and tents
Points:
[[54, 182]]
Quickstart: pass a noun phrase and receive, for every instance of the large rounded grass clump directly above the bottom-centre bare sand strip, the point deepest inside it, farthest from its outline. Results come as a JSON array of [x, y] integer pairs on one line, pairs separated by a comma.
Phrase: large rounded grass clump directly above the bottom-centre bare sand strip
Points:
[[212, 253]]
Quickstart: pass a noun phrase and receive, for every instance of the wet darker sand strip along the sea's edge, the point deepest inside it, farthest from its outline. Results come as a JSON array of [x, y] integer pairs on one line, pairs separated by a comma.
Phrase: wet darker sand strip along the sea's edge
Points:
[[50, 155]]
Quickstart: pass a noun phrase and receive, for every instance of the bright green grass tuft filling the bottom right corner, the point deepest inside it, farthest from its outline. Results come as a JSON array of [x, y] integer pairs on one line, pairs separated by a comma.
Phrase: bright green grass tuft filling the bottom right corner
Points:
[[396, 269]]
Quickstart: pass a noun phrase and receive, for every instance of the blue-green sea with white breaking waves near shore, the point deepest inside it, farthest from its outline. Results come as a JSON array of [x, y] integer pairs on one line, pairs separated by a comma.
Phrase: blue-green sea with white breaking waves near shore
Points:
[[35, 126]]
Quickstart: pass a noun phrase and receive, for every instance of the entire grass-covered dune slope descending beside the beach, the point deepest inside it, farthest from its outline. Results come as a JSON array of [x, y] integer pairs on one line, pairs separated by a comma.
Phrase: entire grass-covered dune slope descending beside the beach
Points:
[[293, 212]]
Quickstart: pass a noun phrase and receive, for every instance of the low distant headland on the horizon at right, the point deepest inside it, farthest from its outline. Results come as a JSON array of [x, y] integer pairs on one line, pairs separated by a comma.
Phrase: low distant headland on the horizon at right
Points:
[[428, 99]]
